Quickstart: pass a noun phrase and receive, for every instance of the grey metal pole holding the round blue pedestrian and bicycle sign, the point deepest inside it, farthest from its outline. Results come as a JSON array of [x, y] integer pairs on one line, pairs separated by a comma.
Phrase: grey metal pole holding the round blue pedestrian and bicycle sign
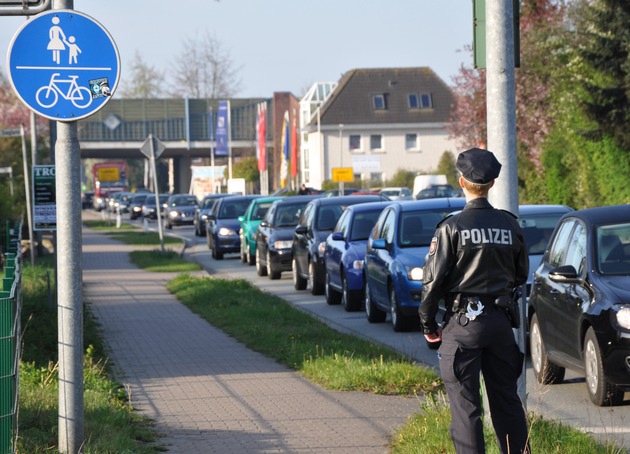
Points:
[[69, 264]]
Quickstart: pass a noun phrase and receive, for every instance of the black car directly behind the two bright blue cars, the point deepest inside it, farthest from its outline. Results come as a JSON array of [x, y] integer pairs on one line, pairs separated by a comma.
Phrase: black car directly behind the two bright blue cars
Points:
[[309, 238]]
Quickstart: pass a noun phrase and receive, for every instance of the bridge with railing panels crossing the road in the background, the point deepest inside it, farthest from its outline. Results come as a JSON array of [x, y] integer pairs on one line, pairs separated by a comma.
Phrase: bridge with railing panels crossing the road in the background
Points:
[[185, 126]]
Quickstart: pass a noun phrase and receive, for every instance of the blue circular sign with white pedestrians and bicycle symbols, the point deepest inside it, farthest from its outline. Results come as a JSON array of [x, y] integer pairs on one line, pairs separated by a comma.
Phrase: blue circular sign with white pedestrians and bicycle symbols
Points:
[[63, 65]]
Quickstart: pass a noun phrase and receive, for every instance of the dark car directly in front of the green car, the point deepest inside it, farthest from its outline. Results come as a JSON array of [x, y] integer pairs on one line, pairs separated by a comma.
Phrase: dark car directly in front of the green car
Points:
[[275, 235]]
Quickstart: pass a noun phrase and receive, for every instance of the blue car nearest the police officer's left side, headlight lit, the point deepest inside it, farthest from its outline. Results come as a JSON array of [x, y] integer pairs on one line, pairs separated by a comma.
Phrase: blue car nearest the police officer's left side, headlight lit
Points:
[[395, 255]]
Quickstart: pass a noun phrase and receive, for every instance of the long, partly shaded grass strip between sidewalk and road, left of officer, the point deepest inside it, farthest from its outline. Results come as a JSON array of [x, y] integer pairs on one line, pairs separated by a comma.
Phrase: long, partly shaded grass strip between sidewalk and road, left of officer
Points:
[[269, 325]]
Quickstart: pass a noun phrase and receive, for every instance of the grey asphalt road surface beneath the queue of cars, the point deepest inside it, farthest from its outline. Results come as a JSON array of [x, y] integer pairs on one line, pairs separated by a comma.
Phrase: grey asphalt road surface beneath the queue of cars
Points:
[[567, 402]]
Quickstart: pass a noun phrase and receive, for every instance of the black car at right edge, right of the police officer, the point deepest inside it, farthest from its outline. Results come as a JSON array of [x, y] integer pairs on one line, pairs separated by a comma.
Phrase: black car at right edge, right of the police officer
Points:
[[579, 308]]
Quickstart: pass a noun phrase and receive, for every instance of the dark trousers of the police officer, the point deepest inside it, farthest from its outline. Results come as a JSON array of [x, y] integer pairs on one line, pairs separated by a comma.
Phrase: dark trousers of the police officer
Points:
[[484, 345]]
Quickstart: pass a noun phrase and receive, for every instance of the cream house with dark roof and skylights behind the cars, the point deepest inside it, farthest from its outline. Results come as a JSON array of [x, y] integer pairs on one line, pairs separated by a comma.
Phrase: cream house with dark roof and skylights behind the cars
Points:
[[377, 121]]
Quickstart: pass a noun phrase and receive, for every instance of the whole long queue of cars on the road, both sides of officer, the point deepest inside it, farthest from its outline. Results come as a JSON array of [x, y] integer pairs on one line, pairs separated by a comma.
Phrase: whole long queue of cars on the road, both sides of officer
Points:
[[367, 254]]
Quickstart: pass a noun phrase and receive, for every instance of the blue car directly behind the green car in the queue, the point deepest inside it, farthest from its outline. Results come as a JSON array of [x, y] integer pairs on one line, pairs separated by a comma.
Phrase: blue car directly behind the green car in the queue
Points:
[[222, 226]]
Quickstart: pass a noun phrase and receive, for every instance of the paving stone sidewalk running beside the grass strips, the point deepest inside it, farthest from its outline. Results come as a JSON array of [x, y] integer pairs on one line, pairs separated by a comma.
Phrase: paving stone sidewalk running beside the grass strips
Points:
[[209, 393]]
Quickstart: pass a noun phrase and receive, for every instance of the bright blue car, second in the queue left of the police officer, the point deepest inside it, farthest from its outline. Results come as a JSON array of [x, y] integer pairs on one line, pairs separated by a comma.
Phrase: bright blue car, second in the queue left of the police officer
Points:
[[344, 253]]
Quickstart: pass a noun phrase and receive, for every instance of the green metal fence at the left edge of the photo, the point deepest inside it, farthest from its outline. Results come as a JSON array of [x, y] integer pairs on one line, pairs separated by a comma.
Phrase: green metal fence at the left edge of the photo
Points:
[[10, 309]]
